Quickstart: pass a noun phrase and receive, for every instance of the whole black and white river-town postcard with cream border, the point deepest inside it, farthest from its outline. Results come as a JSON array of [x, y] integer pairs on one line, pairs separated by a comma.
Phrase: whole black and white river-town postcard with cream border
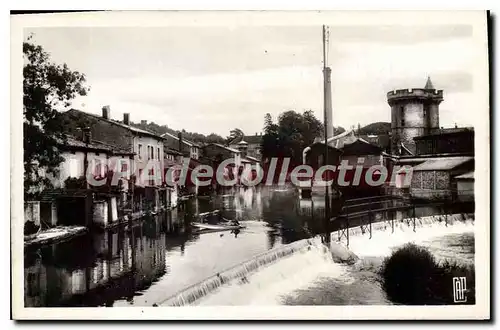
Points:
[[250, 165]]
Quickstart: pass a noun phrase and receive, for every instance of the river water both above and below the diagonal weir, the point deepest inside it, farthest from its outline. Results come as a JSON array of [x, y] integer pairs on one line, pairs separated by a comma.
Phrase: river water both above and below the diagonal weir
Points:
[[156, 259]]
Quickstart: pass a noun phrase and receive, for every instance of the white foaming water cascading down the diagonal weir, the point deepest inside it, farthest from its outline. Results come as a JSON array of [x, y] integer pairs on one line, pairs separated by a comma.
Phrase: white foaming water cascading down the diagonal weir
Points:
[[305, 260]]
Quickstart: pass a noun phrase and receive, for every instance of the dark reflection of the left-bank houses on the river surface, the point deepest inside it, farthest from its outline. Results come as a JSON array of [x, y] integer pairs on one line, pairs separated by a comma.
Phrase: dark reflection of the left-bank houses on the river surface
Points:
[[97, 269]]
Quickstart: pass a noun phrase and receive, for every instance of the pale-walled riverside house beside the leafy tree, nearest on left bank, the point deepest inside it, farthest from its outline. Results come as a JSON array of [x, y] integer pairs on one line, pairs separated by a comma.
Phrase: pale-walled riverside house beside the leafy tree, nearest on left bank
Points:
[[57, 206]]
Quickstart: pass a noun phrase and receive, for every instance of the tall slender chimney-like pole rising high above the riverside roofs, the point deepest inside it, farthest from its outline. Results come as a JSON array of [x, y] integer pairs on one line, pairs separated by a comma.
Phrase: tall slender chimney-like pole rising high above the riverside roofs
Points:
[[325, 107]]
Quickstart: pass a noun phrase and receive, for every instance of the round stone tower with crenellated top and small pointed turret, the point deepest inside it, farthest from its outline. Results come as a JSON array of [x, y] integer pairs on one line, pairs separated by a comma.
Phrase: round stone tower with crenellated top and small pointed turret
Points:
[[414, 112]]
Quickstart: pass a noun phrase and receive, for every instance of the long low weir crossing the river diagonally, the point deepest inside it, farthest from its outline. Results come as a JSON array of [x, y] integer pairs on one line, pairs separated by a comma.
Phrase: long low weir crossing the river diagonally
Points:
[[401, 231]]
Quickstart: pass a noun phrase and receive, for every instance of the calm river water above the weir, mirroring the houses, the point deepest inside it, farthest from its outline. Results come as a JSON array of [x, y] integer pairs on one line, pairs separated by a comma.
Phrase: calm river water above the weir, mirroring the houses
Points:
[[145, 264]]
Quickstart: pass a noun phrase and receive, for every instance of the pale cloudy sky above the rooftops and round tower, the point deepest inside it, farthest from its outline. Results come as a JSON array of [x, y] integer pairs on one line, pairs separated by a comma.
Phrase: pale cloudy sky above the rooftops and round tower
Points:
[[215, 78]]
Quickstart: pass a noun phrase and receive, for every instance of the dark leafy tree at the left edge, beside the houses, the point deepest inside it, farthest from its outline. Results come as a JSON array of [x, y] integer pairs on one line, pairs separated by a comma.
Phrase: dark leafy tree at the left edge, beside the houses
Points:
[[46, 87]]
